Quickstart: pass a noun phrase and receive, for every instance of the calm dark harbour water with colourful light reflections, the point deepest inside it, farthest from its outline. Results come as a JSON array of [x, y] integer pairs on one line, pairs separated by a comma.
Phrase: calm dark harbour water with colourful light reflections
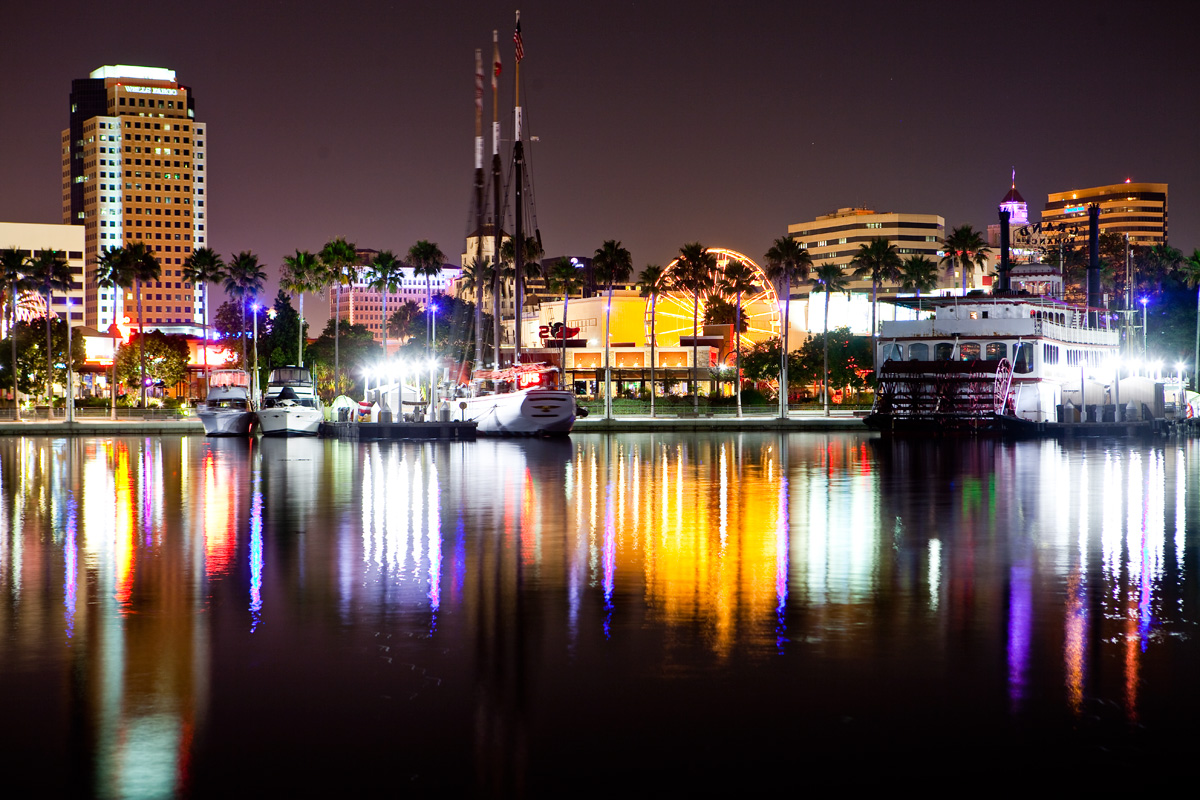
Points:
[[191, 617]]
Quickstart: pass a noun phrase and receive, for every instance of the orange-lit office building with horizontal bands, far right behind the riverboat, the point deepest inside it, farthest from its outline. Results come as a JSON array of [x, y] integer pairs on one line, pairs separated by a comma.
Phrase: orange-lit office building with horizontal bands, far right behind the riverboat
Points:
[[1136, 209]]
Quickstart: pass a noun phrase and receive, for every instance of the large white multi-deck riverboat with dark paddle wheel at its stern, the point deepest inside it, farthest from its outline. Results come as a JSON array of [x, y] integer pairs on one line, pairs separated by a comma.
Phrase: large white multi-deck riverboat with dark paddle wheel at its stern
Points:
[[979, 360]]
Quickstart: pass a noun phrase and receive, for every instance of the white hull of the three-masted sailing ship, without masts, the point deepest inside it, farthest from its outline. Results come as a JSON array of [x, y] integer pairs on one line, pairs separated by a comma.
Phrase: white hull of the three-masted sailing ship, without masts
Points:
[[519, 401]]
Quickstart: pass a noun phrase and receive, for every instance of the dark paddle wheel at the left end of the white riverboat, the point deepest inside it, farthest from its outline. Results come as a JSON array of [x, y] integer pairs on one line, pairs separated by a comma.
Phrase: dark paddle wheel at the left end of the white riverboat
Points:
[[944, 396]]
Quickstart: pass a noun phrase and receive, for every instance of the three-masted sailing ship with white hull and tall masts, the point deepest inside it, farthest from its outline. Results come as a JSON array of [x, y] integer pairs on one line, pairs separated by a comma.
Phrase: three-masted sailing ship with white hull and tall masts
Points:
[[523, 399]]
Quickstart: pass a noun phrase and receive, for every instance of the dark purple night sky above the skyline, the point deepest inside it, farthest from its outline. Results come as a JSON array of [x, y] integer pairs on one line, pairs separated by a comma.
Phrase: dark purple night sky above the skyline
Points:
[[659, 123]]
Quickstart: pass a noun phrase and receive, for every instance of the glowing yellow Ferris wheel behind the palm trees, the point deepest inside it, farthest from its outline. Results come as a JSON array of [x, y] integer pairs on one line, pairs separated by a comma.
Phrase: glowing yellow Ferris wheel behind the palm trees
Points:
[[760, 306]]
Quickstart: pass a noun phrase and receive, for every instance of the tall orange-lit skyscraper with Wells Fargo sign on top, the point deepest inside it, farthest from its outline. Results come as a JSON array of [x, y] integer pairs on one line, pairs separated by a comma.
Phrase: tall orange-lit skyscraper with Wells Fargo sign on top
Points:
[[134, 171]]
